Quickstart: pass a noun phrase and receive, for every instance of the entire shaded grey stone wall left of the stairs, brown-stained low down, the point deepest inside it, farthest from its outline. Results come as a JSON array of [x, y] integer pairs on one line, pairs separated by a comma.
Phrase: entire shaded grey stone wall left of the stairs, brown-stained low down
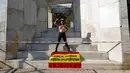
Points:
[[25, 21]]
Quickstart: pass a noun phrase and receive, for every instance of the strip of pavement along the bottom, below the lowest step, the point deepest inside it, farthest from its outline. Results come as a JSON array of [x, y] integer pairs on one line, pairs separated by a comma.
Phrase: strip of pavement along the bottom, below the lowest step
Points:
[[61, 70]]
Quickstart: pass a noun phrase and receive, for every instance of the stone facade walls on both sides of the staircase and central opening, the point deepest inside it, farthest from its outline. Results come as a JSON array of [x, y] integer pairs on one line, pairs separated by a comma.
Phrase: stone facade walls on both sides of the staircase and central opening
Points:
[[105, 20]]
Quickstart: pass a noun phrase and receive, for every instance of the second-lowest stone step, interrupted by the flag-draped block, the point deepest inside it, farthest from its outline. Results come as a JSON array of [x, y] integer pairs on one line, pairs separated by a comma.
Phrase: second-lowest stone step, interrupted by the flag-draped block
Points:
[[44, 55]]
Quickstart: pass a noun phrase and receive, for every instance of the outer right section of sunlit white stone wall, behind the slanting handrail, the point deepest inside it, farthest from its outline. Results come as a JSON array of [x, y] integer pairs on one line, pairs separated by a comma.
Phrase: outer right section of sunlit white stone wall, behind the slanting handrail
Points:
[[110, 26]]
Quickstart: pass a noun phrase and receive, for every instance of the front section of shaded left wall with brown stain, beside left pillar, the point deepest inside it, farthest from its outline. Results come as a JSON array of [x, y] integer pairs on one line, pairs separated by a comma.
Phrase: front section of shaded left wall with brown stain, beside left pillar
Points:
[[20, 26]]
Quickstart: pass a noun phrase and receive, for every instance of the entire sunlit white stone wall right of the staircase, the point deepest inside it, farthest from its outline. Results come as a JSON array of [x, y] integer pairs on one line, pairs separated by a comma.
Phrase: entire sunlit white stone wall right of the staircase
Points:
[[101, 18]]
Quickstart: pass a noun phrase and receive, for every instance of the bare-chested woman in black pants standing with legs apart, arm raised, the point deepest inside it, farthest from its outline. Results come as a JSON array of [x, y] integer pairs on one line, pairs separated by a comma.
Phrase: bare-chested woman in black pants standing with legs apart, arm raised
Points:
[[62, 29]]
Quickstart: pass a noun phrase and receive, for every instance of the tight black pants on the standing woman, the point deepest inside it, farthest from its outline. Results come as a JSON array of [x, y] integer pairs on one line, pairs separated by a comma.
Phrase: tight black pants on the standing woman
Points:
[[62, 35]]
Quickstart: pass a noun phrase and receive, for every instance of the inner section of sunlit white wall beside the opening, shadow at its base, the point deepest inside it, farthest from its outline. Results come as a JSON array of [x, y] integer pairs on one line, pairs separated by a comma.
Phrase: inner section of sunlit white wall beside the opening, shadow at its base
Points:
[[90, 19]]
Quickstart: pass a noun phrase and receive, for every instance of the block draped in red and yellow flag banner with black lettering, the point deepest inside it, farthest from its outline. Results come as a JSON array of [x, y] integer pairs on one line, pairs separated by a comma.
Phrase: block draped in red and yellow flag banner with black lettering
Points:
[[64, 60]]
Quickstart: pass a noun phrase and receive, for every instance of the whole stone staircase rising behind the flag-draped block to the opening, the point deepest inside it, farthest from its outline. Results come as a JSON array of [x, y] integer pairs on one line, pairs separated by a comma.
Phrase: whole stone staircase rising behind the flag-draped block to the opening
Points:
[[36, 55]]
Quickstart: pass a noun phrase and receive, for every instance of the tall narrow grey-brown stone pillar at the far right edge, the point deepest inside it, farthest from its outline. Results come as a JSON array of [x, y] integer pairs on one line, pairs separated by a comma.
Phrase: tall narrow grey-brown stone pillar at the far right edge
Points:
[[125, 37]]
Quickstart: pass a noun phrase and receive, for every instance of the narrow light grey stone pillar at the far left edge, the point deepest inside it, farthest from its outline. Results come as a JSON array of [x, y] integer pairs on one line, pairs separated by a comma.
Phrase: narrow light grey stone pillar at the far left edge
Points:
[[3, 24]]
